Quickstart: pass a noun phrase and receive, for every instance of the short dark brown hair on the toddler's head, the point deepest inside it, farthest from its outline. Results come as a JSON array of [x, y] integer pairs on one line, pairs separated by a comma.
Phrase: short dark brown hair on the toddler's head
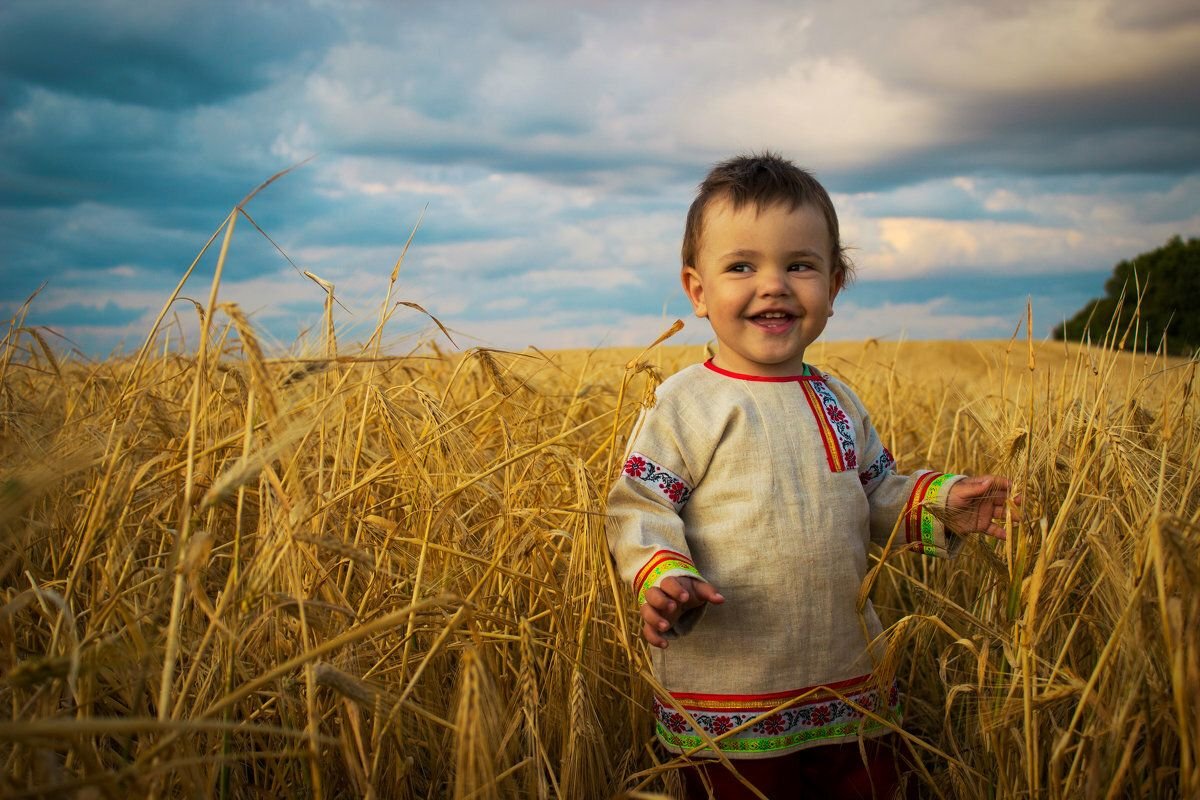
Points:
[[764, 181]]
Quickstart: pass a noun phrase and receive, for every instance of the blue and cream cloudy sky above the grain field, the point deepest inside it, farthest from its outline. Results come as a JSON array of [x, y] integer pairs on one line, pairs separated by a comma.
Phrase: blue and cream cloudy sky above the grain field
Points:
[[980, 154]]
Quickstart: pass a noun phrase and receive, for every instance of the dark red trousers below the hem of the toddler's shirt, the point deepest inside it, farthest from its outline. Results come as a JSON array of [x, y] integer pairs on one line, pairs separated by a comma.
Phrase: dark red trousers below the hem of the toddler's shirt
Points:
[[825, 773]]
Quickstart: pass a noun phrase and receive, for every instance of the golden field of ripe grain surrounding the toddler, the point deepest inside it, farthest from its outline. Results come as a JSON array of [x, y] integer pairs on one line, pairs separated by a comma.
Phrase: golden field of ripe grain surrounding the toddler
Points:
[[349, 575]]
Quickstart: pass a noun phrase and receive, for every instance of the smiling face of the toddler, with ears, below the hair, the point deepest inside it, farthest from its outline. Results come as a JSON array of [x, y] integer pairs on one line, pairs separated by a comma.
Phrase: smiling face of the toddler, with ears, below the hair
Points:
[[764, 281]]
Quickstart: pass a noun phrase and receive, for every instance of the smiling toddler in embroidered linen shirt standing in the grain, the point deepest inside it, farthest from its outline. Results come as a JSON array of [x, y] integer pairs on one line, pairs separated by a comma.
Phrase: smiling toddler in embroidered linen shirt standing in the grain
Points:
[[752, 492]]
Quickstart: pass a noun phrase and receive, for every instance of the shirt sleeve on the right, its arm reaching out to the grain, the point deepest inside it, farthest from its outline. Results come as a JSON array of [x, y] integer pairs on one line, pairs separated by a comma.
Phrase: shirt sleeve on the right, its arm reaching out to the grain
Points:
[[916, 501]]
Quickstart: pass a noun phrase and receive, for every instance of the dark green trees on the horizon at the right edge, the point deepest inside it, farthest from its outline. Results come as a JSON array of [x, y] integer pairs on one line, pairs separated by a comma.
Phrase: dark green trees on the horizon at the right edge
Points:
[[1169, 281]]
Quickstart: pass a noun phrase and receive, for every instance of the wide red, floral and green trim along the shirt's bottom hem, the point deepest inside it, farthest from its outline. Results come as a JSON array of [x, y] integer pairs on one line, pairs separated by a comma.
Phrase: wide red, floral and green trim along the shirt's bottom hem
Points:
[[821, 715]]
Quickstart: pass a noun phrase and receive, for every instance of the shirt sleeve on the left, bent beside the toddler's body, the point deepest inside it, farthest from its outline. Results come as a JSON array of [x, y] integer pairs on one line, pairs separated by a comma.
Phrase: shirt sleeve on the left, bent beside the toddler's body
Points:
[[645, 528]]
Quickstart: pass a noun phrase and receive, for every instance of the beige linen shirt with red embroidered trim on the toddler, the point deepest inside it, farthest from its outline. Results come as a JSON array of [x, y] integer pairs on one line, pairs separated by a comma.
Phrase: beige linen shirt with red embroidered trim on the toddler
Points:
[[772, 490]]
